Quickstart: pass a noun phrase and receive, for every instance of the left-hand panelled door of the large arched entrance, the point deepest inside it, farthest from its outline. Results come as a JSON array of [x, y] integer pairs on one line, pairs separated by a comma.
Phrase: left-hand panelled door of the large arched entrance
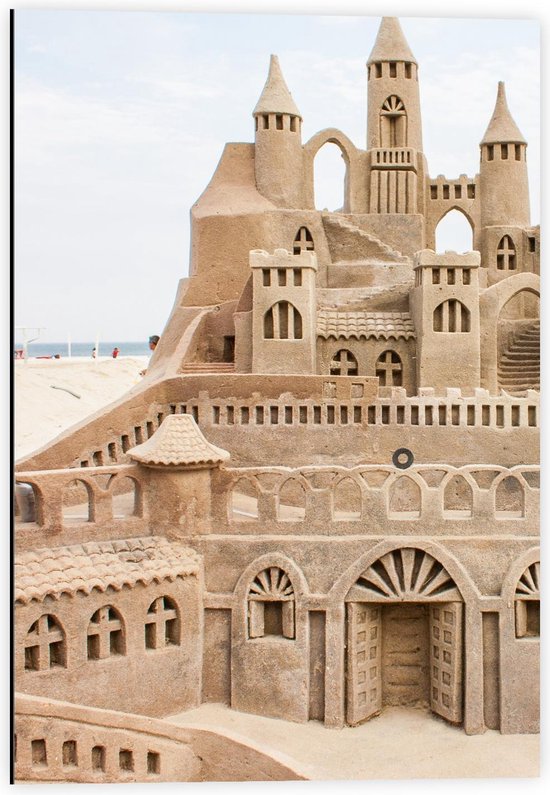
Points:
[[364, 661]]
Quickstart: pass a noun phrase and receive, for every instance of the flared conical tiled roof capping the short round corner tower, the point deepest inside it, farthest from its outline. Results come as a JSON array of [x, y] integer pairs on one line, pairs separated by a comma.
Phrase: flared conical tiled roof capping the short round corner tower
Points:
[[178, 442]]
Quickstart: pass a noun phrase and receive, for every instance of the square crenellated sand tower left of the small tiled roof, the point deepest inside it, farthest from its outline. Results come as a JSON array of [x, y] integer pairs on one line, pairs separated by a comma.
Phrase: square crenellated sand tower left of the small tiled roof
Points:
[[284, 331]]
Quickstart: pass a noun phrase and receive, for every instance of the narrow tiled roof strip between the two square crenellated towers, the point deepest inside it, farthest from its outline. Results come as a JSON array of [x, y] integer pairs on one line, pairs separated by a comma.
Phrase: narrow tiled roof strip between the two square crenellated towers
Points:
[[381, 325]]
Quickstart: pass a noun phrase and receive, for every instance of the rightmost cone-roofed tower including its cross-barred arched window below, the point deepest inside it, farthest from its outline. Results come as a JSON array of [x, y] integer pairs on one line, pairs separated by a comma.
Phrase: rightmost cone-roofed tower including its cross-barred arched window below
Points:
[[504, 195]]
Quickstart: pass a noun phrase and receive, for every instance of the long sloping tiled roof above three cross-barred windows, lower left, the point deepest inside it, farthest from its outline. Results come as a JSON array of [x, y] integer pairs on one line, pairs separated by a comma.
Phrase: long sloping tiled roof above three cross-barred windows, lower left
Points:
[[101, 565]]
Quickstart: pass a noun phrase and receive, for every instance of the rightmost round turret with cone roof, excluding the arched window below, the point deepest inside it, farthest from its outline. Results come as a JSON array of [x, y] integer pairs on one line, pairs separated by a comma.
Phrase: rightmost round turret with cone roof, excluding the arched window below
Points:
[[504, 189]]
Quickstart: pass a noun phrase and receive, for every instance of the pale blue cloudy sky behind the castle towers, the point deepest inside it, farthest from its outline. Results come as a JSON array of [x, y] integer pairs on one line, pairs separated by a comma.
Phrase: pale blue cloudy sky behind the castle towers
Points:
[[121, 118]]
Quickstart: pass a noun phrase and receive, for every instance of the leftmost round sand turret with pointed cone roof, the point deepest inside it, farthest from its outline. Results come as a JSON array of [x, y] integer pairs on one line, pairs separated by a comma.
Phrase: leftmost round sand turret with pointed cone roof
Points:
[[278, 150]]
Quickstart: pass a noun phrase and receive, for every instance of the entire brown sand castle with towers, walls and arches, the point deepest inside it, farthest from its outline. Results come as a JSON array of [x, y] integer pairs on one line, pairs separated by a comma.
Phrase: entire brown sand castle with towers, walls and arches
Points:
[[323, 498]]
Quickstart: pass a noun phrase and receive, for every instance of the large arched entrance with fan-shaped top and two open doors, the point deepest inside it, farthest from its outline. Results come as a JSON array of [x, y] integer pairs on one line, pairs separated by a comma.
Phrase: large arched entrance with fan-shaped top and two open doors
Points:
[[404, 638]]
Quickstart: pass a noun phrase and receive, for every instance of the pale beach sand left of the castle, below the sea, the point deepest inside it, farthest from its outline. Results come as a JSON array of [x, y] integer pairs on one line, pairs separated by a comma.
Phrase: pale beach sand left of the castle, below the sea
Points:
[[43, 407]]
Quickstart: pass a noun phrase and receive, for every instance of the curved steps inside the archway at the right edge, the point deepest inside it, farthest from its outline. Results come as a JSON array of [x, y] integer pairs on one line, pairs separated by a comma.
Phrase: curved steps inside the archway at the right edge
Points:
[[519, 366]]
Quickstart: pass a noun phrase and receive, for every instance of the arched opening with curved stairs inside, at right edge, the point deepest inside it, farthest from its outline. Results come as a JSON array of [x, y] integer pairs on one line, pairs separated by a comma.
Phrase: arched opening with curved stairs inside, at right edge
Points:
[[518, 343]]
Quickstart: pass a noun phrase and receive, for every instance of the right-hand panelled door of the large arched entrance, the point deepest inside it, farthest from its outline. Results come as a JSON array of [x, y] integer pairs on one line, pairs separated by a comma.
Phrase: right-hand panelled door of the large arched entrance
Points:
[[446, 668]]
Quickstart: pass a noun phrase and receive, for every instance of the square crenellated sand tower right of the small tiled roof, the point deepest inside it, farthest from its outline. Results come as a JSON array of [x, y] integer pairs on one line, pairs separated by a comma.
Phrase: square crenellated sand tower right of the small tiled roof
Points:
[[445, 309]]
